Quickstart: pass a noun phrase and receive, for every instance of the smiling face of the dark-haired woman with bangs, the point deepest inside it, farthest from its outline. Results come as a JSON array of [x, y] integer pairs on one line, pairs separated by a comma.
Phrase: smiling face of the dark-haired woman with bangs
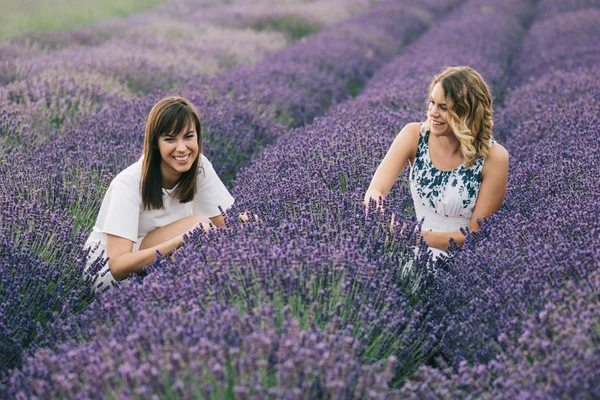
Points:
[[178, 151]]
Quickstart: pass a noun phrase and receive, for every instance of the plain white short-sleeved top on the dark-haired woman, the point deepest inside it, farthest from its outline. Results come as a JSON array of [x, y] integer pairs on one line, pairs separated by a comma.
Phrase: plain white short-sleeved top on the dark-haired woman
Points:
[[122, 214]]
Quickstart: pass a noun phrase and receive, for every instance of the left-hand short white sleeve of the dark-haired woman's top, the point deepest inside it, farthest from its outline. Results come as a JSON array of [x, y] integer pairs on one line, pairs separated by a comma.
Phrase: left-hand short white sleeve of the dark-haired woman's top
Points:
[[122, 212]]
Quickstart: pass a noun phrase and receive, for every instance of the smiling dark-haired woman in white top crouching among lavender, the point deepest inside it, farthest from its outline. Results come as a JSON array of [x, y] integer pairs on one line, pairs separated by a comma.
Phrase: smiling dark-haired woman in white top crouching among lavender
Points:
[[149, 207]]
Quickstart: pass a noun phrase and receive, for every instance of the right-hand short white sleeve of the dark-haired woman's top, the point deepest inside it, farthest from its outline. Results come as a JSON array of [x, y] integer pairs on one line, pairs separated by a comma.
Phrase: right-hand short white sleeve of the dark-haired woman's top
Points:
[[211, 193]]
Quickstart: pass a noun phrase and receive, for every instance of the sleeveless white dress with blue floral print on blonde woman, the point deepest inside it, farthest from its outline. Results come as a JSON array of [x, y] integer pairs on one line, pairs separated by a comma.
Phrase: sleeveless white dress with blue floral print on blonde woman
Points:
[[443, 199]]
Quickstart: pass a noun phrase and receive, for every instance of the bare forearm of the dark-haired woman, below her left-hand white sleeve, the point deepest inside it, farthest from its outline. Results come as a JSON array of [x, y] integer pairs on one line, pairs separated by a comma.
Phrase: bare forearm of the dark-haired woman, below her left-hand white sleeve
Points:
[[134, 262]]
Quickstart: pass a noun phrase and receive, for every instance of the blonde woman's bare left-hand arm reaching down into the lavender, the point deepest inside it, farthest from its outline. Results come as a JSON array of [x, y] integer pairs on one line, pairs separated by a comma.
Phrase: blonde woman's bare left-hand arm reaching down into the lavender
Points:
[[402, 150]]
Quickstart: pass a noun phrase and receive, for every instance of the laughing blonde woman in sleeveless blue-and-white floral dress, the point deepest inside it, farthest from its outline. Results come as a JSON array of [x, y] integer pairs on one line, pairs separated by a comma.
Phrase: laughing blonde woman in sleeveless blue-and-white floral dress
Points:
[[458, 173]]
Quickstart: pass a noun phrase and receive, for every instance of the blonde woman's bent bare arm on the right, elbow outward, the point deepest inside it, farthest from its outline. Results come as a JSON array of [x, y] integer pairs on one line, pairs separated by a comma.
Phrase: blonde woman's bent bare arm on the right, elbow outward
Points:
[[494, 179]]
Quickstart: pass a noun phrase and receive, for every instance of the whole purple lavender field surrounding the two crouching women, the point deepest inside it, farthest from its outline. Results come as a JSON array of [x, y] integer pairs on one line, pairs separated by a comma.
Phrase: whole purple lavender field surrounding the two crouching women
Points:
[[300, 101]]
